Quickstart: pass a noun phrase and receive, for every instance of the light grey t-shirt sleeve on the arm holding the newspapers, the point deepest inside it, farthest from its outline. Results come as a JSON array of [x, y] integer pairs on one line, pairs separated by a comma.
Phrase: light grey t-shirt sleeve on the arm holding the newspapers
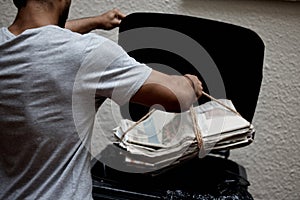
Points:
[[112, 73]]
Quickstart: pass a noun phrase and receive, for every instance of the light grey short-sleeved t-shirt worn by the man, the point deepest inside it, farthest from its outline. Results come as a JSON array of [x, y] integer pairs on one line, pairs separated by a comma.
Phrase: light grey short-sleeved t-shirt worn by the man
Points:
[[49, 80]]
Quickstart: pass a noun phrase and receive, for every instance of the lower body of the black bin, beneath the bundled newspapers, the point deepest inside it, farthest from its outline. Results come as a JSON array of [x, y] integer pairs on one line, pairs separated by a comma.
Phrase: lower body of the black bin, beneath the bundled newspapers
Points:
[[208, 178]]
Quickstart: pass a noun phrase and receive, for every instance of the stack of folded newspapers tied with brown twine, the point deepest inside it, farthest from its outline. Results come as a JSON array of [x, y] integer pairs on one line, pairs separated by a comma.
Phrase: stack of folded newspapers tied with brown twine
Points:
[[165, 138]]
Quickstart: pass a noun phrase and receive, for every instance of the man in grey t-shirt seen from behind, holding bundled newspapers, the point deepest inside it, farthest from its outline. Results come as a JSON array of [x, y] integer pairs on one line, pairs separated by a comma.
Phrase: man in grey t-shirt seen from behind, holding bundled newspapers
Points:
[[42, 67]]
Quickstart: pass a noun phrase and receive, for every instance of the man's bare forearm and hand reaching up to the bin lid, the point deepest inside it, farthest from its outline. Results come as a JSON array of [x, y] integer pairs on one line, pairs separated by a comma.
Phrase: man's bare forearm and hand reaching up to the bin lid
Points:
[[106, 21]]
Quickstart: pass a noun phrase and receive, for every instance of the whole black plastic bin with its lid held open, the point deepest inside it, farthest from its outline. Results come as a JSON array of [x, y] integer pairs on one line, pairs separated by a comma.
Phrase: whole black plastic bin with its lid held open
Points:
[[238, 54]]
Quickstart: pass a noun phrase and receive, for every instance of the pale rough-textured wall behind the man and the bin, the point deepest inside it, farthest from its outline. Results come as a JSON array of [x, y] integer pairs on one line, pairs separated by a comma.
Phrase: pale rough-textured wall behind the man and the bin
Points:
[[272, 161]]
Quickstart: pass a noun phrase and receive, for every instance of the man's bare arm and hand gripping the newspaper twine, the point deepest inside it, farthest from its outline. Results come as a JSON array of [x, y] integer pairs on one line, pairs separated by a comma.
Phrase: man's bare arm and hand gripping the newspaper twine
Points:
[[174, 93]]
